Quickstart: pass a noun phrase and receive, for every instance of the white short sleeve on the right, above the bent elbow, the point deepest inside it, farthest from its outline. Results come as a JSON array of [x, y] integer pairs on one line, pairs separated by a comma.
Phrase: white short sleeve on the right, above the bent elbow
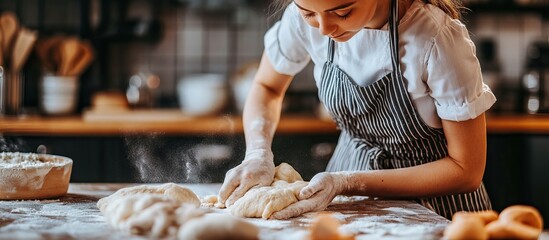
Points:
[[454, 75]]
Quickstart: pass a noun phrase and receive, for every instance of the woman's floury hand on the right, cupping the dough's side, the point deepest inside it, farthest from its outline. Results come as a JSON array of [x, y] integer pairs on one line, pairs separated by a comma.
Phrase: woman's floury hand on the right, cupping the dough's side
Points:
[[316, 196]]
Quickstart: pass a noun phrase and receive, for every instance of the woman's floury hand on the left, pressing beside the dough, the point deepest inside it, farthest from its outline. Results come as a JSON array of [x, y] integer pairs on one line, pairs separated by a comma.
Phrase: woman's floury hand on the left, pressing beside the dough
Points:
[[257, 169]]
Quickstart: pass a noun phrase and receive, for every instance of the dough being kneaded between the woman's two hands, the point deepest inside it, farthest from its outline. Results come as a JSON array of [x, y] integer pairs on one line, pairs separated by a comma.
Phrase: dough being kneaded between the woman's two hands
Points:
[[262, 202]]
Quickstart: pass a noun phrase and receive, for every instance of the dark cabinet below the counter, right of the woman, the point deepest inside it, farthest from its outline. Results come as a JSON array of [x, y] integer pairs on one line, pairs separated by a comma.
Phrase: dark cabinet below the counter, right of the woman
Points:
[[516, 171]]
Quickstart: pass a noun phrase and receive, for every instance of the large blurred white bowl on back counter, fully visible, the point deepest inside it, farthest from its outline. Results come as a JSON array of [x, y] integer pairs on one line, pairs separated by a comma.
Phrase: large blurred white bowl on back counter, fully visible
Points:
[[203, 94]]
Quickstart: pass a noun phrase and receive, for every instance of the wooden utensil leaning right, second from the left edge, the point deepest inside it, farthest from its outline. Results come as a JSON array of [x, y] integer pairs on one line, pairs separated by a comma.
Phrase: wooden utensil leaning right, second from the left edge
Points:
[[23, 46]]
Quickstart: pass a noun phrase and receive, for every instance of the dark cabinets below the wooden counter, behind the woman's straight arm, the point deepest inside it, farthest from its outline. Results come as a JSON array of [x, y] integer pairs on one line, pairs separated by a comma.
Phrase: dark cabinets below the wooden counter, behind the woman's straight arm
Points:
[[160, 158]]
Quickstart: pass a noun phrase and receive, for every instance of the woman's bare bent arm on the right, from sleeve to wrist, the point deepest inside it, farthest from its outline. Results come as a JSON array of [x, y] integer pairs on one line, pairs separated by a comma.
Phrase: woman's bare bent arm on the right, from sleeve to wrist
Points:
[[461, 171]]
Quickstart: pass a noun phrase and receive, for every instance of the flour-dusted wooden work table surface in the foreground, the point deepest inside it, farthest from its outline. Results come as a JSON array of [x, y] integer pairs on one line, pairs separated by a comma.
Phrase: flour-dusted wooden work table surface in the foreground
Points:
[[75, 216]]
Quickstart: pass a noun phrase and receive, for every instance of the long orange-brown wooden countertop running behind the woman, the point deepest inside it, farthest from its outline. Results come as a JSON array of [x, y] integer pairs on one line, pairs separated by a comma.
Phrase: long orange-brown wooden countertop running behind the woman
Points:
[[173, 122]]
